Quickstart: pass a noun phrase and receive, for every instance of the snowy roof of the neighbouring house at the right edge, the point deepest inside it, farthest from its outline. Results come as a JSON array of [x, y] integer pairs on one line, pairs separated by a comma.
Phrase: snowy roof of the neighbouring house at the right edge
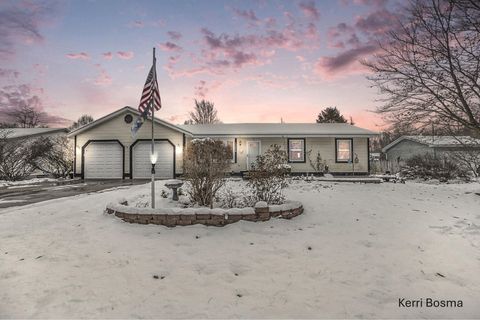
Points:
[[437, 141]]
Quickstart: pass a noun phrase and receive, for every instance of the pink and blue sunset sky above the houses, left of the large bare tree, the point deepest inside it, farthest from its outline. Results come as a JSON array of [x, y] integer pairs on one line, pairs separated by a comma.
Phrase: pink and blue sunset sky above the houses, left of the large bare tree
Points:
[[258, 61]]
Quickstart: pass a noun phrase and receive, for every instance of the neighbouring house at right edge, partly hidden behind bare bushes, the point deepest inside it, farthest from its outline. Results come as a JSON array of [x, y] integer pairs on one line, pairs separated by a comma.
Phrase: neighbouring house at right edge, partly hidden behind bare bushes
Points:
[[406, 147]]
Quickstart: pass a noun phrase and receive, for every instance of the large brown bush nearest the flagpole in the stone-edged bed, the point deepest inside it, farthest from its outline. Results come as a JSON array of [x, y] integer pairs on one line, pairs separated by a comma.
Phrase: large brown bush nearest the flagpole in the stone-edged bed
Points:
[[206, 164]]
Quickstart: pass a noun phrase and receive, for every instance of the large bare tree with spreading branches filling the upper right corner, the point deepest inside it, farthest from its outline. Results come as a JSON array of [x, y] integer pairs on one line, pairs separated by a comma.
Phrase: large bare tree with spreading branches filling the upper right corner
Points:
[[428, 68]]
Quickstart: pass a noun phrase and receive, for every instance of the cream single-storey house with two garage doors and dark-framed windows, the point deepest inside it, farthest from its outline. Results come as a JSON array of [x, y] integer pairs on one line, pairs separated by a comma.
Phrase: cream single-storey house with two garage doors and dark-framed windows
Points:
[[105, 148]]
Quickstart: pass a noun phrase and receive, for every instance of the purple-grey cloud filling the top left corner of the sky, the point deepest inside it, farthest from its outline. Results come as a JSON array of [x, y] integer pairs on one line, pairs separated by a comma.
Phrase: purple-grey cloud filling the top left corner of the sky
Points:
[[20, 22]]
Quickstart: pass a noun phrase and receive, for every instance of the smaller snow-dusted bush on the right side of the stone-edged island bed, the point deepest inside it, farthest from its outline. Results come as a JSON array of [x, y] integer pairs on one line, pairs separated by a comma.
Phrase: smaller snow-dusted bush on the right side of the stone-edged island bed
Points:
[[268, 176]]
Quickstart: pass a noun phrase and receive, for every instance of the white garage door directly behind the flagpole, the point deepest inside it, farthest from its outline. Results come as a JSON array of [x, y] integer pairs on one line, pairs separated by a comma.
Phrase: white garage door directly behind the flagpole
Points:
[[142, 166]]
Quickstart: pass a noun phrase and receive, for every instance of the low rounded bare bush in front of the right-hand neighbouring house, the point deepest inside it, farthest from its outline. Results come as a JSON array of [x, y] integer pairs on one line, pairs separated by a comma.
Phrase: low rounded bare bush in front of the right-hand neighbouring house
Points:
[[429, 167]]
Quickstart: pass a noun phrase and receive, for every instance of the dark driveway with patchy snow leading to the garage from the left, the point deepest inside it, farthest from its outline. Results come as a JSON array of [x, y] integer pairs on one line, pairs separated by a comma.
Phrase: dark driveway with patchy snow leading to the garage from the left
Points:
[[27, 194]]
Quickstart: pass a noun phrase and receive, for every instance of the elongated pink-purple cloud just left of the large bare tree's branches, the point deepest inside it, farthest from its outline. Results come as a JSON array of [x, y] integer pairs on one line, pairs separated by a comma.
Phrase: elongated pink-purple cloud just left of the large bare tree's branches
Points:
[[347, 61]]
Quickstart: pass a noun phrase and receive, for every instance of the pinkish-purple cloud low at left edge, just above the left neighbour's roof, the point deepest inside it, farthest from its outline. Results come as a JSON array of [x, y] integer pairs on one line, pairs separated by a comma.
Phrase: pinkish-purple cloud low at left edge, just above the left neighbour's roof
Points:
[[17, 96]]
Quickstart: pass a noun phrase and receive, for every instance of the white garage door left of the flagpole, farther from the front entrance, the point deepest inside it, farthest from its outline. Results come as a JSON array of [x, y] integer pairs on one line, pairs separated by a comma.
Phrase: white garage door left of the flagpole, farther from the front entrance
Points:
[[103, 160]]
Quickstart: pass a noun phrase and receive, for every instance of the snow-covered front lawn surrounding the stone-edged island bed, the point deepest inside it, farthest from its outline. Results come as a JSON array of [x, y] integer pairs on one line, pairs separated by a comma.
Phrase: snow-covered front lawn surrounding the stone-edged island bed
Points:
[[355, 251]]
